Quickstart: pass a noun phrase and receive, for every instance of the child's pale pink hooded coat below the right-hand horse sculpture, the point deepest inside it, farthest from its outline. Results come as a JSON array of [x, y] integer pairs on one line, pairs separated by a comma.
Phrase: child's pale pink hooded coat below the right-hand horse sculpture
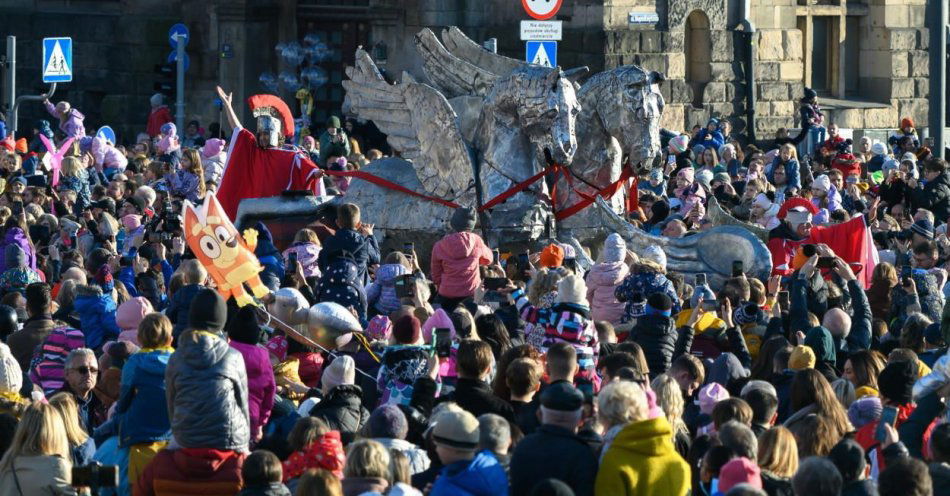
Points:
[[603, 279]]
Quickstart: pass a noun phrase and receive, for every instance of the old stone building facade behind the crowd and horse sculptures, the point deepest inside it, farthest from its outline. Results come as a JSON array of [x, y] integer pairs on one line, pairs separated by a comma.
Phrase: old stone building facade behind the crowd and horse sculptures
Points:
[[867, 58]]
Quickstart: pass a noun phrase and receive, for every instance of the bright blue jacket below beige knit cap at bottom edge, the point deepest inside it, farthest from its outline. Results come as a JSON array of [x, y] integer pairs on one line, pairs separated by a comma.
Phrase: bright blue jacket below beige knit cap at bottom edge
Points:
[[482, 476]]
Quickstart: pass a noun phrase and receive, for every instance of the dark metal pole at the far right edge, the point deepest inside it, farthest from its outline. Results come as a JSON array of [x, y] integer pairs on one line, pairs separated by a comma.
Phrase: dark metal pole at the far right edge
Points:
[[938, 74]]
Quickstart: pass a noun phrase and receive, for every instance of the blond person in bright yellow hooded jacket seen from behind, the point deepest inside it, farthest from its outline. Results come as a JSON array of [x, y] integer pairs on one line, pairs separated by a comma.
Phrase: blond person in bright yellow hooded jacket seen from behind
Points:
[[640, 459]]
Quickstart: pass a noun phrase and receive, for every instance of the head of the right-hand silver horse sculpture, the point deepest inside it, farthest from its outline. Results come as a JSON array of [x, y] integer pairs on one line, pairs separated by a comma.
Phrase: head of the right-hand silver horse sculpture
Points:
[[628, 106]]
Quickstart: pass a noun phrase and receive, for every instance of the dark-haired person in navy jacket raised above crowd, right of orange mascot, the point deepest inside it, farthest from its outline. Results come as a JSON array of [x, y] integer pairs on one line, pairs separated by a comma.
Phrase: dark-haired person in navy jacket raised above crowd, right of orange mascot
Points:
[[354, 238]]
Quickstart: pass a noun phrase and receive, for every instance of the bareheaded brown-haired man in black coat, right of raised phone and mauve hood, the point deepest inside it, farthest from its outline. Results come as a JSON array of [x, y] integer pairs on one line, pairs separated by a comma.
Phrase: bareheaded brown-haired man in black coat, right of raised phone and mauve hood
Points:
[[471, 391]]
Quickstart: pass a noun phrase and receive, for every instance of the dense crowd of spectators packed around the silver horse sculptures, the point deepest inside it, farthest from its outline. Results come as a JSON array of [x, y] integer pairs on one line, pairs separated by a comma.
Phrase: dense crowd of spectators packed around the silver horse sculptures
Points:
[[477, 371]]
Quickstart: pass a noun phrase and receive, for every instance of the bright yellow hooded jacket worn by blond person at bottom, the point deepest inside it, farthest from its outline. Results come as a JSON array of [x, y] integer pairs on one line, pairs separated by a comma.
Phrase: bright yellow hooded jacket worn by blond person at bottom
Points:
[[642, 461]]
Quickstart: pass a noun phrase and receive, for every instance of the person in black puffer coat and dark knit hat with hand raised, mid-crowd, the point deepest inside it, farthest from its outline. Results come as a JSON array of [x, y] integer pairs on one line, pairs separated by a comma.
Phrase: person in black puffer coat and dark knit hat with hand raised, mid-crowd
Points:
[[657, 336]]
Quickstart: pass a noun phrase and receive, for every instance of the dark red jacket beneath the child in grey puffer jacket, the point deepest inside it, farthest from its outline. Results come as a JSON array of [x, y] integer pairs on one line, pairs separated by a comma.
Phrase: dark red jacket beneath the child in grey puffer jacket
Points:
[[185, 471]]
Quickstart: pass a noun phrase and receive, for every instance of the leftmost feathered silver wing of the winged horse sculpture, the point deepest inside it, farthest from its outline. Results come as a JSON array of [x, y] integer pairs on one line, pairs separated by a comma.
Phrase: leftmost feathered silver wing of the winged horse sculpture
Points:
[[418, 122]]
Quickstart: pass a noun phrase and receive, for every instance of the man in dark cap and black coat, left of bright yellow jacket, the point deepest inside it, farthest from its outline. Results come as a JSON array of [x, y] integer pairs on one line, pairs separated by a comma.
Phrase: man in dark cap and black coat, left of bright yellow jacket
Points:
[[555, 450]]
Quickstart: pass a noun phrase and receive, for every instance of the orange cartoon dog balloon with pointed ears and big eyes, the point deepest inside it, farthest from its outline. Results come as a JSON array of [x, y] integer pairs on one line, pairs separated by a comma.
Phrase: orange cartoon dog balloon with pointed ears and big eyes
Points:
[[219, 247]]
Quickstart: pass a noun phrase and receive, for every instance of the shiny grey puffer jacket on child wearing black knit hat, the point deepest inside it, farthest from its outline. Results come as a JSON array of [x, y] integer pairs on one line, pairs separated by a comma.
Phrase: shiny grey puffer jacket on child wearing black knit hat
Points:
[[203, 368]]
